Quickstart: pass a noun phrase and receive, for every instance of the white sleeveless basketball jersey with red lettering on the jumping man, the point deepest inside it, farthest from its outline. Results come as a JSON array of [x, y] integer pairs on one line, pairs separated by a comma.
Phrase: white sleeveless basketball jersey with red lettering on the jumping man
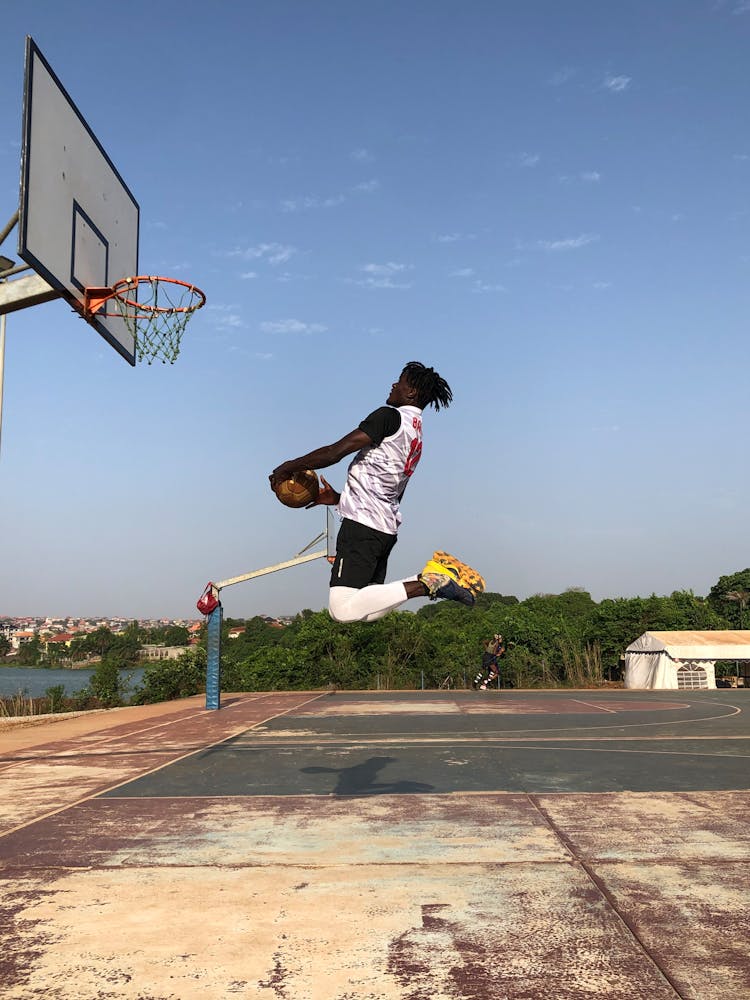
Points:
[[378, 475]]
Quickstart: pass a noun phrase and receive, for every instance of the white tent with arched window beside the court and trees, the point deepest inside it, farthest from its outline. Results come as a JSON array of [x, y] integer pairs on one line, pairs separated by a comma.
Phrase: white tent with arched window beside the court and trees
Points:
[[682, 660]]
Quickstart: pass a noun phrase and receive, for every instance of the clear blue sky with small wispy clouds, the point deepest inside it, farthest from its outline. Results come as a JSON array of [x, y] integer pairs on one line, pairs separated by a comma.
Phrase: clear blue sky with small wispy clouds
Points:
[[547, 202]]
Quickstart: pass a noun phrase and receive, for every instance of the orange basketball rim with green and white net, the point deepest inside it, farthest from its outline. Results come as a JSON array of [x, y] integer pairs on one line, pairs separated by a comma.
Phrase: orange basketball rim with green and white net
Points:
[[155, 311]]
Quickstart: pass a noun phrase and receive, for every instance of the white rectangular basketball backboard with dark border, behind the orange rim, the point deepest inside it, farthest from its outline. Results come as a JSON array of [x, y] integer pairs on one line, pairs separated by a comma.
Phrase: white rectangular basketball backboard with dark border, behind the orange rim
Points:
[[78, 222]]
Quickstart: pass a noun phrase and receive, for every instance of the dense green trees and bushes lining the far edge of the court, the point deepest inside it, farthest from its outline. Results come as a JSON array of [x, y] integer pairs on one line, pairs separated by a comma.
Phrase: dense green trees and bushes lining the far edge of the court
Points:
[[552, 640]]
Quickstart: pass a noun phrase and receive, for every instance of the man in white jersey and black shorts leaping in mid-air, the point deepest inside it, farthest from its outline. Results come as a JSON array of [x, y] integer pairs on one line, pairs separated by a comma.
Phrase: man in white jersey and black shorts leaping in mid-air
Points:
[[388, 444]]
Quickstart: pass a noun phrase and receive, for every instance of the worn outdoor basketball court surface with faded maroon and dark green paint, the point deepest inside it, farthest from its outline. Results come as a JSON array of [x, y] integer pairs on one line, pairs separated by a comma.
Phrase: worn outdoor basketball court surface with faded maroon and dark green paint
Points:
[[358, 846]]
